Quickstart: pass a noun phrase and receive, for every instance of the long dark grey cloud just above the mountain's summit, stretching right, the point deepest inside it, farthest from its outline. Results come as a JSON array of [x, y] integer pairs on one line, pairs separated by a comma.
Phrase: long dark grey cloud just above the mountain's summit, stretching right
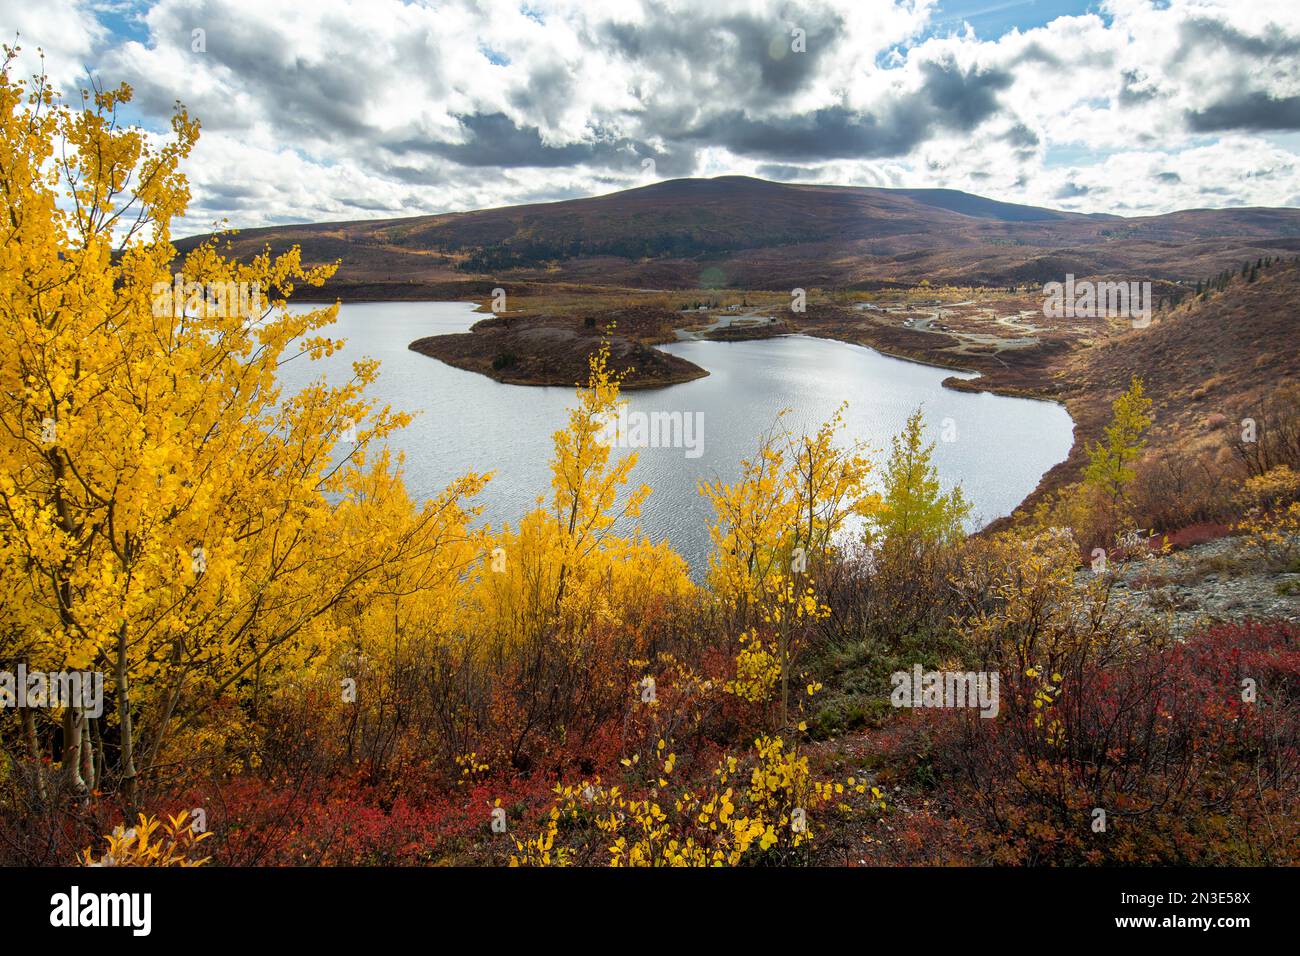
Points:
[[951, 98]]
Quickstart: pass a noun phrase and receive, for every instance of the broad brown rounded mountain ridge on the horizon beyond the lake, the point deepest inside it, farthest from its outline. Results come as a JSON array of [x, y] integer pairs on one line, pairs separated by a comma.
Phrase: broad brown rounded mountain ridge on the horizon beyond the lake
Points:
[[743, 232]]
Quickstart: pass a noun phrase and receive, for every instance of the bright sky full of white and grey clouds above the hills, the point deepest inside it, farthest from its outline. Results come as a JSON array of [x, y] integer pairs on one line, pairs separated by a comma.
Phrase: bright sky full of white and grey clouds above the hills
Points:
[[331, 110]]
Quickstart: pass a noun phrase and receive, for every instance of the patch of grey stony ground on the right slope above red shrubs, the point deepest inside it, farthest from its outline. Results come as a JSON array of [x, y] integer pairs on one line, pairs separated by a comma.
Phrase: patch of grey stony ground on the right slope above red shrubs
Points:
[[1219, 581]]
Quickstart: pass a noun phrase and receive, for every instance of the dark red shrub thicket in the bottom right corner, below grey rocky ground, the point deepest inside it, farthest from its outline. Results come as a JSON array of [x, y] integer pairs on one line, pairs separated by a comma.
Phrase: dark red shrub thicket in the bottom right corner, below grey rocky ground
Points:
[[1191, 751]]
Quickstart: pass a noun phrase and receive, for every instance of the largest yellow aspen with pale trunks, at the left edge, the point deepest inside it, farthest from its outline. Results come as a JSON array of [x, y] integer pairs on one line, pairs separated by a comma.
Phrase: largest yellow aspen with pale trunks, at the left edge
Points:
[[168, 516]]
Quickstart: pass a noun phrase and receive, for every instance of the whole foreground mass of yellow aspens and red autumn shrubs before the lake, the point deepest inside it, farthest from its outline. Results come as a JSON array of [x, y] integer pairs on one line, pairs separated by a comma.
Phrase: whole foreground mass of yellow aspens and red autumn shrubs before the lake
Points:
[[306, 667]]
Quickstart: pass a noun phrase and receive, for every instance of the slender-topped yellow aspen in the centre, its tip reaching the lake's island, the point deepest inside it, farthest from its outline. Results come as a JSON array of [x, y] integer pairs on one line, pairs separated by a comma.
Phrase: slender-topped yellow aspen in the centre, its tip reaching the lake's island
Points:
[[569, 569]]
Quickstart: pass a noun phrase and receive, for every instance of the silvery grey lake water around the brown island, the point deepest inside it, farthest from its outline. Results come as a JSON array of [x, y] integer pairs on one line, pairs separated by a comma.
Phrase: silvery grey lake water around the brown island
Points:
[[466, 422]]
